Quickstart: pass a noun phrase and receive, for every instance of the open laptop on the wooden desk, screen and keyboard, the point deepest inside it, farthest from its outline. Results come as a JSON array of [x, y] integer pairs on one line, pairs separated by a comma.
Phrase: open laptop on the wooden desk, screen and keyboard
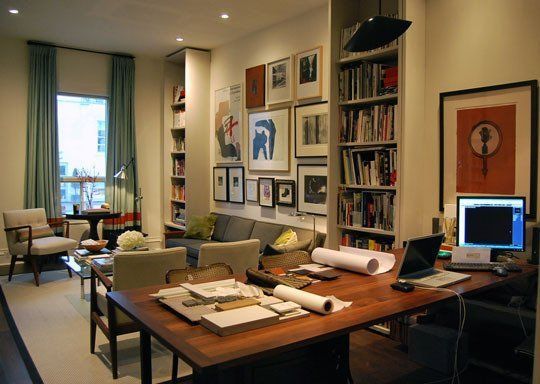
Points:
[[417, 265]]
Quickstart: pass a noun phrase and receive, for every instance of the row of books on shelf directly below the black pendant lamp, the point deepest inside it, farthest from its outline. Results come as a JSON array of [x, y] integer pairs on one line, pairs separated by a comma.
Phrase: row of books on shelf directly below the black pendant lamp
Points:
[[366, 80]]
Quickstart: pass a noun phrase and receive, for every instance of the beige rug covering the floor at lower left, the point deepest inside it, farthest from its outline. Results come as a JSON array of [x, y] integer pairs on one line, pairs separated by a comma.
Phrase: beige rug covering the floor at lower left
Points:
[[54, 324]]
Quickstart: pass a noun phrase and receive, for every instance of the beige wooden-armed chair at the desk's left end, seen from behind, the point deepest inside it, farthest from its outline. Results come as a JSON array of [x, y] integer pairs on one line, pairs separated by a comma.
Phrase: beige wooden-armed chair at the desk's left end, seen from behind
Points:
[[130, 270]]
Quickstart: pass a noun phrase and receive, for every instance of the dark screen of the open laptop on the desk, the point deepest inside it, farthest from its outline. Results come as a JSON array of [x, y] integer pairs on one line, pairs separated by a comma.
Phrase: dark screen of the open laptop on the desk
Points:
[[420, 254]]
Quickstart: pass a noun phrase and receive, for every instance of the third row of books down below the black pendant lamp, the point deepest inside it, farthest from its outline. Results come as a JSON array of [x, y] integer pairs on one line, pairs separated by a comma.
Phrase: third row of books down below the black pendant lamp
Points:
[[373, 166]]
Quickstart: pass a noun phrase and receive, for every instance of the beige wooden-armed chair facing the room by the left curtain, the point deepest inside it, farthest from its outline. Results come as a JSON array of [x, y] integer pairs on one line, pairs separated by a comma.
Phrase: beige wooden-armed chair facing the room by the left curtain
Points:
[[32, 224]]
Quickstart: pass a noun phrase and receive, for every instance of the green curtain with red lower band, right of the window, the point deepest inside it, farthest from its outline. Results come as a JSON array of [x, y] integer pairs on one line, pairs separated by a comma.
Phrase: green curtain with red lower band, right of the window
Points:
[[121, 147]]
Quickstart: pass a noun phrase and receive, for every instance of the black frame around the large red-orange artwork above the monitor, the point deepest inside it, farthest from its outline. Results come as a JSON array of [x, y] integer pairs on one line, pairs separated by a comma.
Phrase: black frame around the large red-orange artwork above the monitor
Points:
[[533, 85]]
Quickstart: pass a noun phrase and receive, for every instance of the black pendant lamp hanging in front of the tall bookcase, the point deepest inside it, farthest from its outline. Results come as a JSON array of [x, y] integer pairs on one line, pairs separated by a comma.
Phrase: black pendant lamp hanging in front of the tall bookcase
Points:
[[376, 32]]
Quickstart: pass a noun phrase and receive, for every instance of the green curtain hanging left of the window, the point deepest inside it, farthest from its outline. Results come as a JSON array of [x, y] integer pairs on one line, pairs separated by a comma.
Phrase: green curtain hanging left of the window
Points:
[[42, 187]]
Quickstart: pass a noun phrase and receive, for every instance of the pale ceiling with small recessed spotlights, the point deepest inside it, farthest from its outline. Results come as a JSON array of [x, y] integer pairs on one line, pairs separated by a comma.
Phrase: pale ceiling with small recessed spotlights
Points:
[[144, 27]]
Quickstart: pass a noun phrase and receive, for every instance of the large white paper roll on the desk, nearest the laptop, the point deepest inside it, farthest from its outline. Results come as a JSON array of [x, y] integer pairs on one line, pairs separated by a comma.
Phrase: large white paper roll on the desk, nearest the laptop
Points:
[[355, 259]]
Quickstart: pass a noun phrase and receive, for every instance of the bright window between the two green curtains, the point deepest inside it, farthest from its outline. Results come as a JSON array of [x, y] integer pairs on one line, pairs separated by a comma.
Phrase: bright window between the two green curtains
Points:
[[82, 140]]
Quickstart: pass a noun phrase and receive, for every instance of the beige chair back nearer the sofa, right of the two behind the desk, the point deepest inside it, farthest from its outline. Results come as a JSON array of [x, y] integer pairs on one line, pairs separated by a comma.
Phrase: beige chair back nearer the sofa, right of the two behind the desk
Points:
[[240, 255]]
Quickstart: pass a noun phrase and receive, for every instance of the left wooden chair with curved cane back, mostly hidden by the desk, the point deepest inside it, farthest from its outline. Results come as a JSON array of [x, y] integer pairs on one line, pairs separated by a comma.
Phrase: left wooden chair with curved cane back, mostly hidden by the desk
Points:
[[177, 276]]
